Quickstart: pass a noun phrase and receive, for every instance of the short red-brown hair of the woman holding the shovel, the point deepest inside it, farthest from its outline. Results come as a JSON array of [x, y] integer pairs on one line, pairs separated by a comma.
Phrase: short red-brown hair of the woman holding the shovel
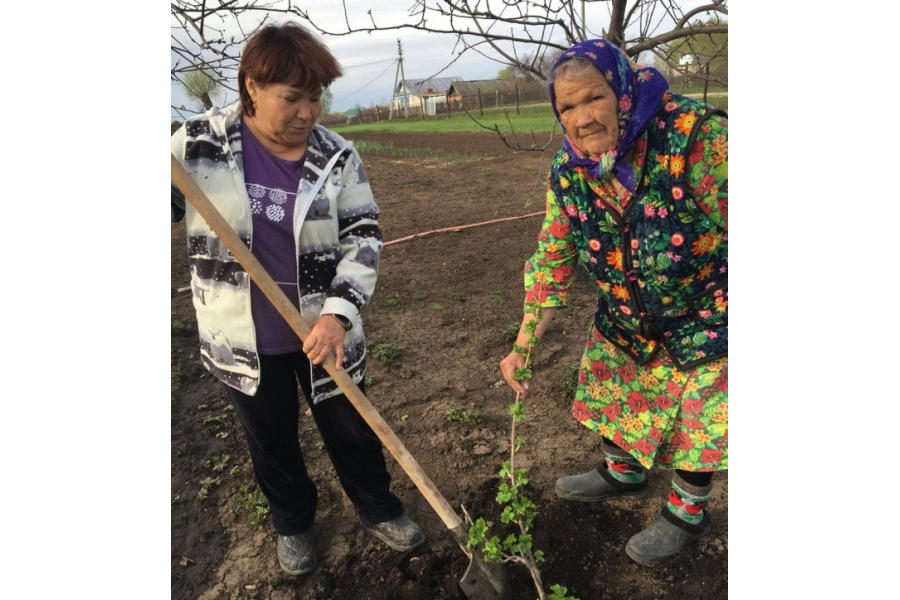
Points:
[[286, 54]]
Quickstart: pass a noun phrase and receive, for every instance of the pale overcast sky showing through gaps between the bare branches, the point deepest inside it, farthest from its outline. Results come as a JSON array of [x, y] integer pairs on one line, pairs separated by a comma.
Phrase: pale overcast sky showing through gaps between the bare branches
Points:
[[369, 61]]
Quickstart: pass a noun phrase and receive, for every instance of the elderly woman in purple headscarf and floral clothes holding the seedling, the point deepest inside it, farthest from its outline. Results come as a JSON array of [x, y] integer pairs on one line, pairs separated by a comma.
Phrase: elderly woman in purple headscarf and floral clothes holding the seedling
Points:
[[638, 193]]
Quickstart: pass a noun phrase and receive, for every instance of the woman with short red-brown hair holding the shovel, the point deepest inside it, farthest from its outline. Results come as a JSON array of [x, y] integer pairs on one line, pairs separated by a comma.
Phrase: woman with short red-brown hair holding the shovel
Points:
[[298, 195]]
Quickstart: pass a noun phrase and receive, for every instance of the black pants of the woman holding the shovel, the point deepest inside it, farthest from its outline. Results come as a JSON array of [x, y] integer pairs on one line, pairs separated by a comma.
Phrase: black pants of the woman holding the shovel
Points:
[[270, 422]]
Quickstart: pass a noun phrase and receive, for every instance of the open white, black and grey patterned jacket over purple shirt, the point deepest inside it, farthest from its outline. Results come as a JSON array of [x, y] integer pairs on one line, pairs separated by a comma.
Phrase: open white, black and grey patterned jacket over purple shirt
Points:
[[338, 246]]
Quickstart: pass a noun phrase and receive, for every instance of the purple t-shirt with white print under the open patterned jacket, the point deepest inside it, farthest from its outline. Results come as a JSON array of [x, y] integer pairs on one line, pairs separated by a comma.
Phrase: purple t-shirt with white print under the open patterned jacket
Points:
[[272, 184]]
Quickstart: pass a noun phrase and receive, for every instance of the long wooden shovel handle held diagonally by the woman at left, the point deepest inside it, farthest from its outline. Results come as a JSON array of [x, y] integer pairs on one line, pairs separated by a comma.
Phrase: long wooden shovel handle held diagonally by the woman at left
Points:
[[292, 315]]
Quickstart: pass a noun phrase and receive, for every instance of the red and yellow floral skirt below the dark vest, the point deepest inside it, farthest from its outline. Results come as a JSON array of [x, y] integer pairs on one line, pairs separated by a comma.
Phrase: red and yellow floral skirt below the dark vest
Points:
[[659, 414]]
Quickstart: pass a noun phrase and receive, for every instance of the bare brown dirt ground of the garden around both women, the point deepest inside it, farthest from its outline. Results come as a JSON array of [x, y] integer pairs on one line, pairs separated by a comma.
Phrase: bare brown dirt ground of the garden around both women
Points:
[[446, 300]]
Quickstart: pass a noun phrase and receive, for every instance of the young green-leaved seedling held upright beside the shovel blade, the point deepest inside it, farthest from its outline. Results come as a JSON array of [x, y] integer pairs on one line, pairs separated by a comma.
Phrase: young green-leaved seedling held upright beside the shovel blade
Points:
[[518, 511]]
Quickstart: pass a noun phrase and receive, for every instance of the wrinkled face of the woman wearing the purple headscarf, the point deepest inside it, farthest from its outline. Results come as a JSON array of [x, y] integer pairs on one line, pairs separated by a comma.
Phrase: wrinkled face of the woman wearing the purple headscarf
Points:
[[588, 109]]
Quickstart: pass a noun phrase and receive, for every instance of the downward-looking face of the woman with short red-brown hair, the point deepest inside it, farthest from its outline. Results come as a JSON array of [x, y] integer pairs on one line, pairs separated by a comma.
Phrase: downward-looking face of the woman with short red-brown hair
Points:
[[285, 114]]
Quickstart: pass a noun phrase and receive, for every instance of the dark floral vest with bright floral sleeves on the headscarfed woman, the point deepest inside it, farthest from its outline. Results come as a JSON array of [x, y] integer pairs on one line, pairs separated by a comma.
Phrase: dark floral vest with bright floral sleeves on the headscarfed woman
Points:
[[659, 256]]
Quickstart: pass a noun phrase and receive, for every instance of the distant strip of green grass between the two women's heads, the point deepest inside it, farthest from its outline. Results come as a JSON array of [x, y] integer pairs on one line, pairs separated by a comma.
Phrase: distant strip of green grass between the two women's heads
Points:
[[537, 118]]
